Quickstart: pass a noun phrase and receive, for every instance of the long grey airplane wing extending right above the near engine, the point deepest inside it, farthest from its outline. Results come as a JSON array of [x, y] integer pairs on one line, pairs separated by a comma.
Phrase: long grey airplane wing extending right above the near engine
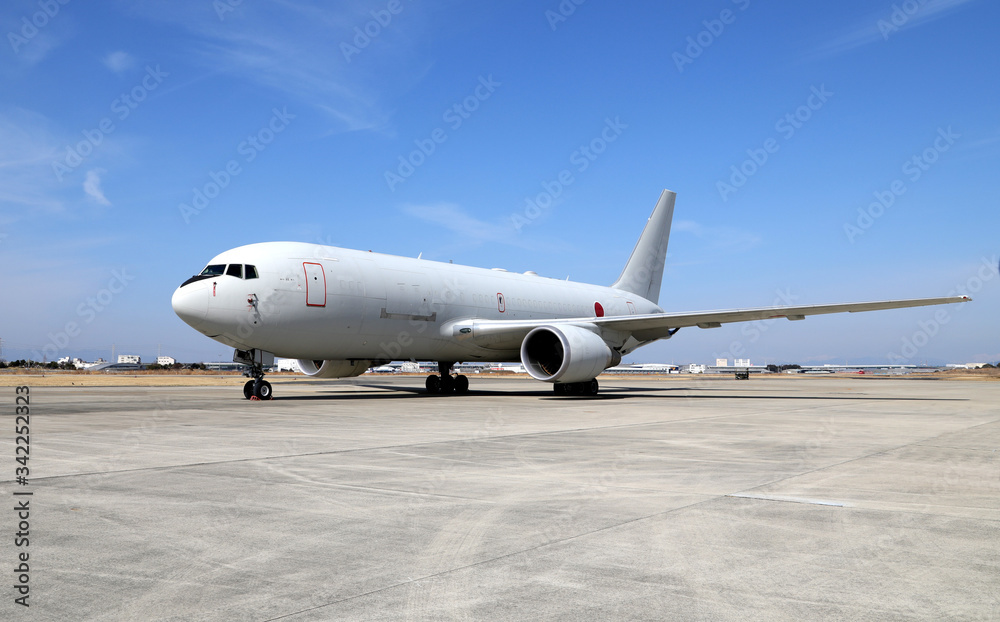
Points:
[[661, 325]]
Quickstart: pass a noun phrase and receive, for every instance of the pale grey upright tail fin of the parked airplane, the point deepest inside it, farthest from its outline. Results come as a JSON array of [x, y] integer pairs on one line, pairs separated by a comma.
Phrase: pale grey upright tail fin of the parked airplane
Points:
[[643, 273]]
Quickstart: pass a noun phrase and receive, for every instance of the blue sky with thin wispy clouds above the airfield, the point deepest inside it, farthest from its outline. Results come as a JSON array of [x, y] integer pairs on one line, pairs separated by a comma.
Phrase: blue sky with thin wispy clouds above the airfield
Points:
[[825, 152]]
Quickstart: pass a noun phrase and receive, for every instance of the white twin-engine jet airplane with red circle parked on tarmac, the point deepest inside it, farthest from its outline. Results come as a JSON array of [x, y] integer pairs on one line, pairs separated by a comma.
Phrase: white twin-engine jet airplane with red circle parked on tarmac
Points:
[[340, 312]]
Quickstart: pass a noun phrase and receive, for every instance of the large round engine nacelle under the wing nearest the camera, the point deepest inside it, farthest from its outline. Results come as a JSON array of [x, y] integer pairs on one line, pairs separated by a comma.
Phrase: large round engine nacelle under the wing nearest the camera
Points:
[[566, 354]]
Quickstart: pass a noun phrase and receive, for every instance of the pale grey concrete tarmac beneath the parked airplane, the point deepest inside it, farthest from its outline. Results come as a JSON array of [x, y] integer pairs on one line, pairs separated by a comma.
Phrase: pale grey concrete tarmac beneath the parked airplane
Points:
[[675, 499]]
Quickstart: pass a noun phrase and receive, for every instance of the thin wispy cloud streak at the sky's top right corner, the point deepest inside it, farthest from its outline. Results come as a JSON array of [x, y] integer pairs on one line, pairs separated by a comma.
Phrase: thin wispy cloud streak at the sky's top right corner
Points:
[[887, 23]]
